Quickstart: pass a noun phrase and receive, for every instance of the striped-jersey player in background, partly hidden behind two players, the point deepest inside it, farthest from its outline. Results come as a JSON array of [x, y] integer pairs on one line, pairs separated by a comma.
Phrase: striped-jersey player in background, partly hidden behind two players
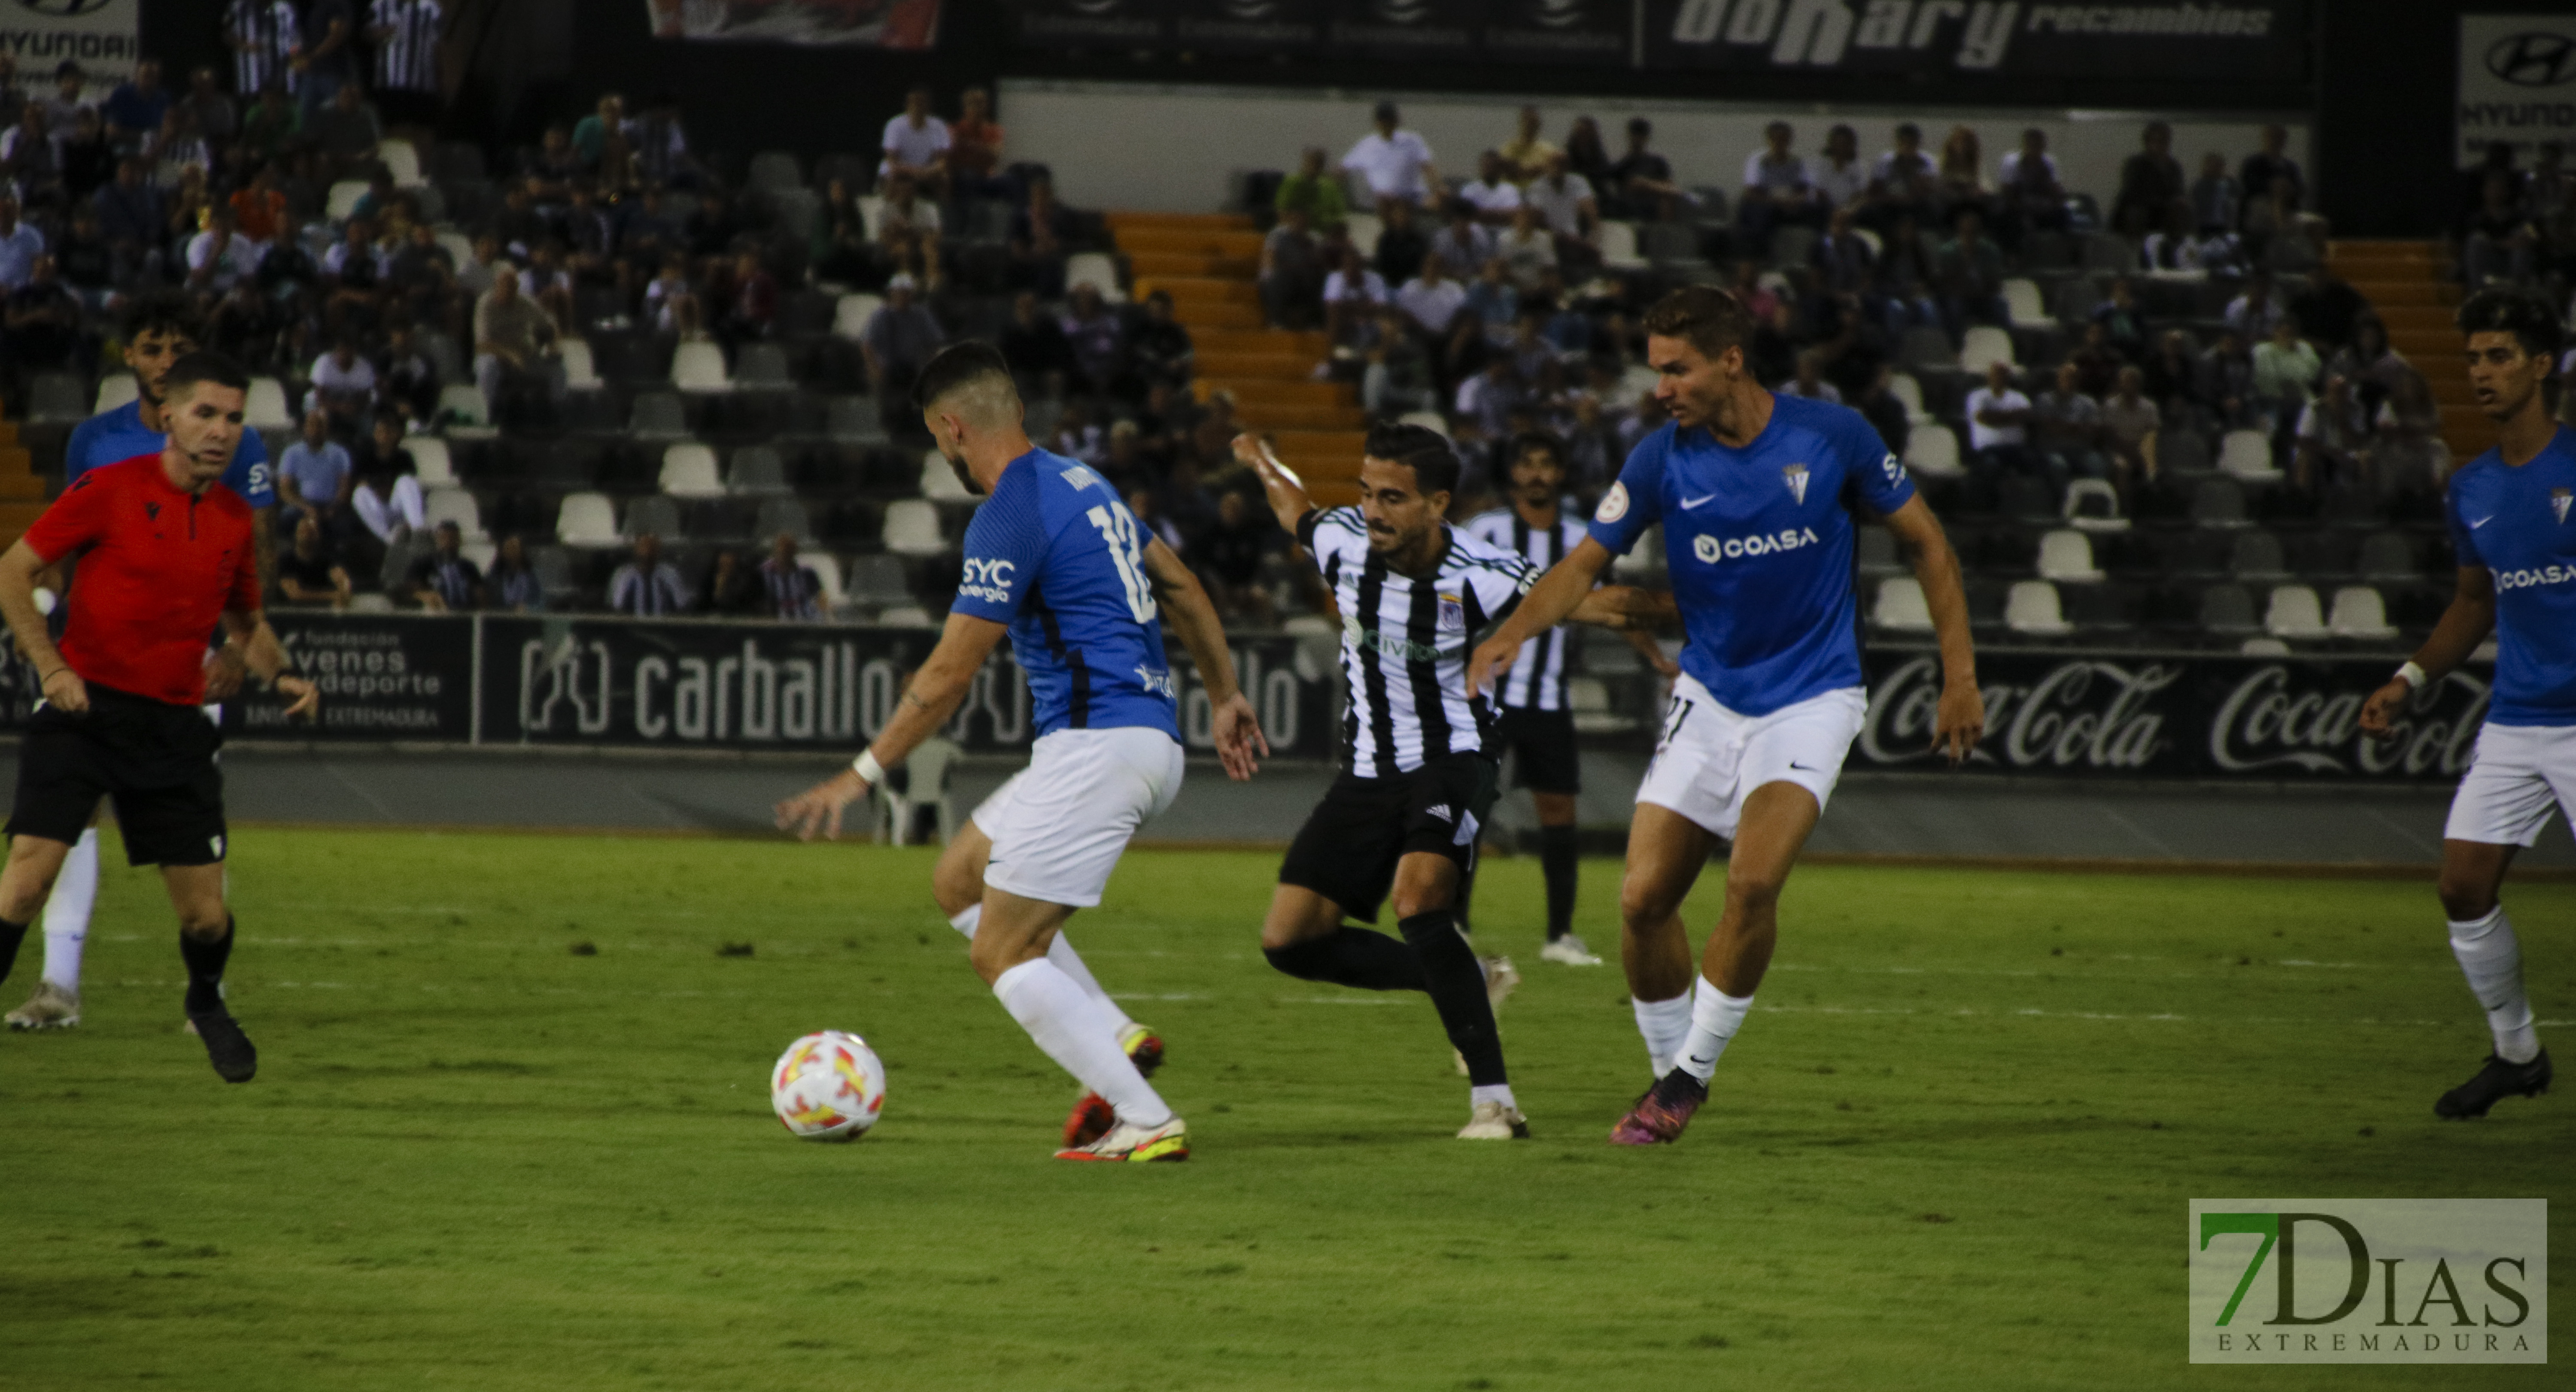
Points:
[[1537, 720]]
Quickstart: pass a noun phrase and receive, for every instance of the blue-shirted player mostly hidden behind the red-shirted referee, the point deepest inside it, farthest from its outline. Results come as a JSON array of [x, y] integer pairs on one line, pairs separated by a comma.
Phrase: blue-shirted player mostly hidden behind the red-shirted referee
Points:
[[161, 329]]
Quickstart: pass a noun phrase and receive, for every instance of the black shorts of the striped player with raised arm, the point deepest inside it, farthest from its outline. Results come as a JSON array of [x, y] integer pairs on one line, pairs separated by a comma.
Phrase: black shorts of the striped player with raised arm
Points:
[[1354, 839]]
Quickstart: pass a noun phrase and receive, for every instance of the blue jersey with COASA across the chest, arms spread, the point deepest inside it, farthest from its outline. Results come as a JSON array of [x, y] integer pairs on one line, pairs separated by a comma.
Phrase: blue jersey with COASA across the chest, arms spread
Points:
[[1761, 545]]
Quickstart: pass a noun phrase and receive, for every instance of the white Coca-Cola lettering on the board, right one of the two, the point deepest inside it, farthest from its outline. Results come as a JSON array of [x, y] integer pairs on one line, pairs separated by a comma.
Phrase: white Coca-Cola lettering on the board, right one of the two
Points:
[[2276, 718]]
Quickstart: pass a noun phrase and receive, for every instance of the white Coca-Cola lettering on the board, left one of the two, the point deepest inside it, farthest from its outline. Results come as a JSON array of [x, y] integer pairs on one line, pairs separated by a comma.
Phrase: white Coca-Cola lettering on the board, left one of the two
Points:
[[2078, 715]]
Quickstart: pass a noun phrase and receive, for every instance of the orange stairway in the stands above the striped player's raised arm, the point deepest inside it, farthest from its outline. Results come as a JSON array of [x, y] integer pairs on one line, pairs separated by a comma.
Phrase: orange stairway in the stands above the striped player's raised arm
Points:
[[1209, 264]]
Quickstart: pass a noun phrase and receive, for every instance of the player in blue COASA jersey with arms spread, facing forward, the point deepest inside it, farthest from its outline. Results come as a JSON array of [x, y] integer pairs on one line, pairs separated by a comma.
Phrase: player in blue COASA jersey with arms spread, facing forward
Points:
[[1758, 504]]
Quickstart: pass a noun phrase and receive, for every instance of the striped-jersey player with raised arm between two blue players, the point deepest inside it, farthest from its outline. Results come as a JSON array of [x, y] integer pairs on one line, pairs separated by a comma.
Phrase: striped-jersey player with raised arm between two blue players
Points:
[[1418, 780]]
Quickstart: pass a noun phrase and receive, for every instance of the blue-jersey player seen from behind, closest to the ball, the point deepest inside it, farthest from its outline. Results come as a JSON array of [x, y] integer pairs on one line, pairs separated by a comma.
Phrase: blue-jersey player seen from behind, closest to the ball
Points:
[[1057, 563]]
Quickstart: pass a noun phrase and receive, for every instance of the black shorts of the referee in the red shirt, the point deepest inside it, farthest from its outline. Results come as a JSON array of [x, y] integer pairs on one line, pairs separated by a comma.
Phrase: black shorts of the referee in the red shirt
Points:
[[151, 757]]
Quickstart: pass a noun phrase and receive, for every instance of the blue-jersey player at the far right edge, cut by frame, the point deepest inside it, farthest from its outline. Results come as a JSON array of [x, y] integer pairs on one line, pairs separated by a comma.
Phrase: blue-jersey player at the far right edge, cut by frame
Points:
[[2515, 532]]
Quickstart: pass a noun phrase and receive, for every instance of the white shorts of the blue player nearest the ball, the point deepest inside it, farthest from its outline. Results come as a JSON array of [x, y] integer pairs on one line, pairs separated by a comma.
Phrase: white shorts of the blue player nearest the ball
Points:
[[1060, 824]]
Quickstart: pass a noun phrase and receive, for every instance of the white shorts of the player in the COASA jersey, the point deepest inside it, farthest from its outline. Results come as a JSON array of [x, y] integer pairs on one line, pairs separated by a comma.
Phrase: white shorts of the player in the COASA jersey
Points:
[[1712, 759]]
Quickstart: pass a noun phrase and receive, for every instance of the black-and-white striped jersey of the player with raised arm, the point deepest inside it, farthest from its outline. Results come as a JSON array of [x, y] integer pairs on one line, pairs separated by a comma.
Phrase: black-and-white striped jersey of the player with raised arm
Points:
[[1405, 641]]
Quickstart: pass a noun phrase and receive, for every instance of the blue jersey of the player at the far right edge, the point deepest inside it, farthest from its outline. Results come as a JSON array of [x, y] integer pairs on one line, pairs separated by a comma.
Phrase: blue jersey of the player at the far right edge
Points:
[[2518, 525]]
